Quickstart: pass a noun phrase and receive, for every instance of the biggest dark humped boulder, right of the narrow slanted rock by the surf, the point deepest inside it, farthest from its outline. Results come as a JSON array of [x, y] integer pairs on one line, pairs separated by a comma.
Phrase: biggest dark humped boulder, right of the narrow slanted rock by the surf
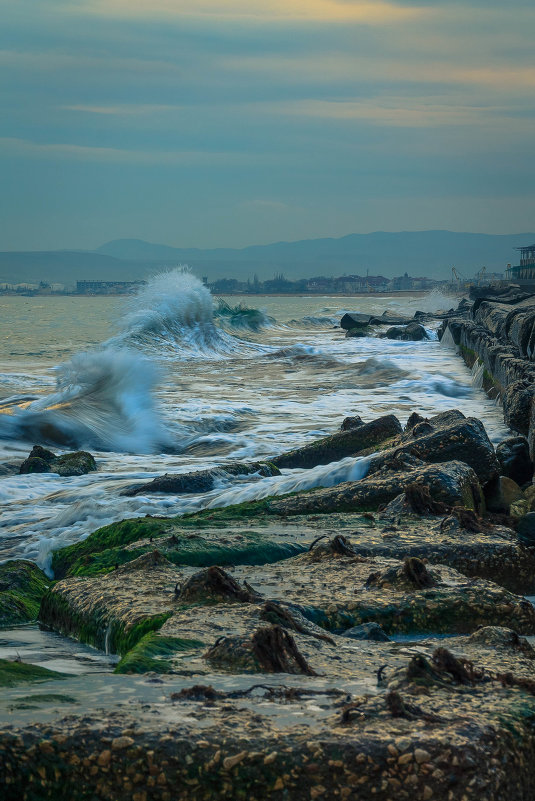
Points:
[[444, 438]]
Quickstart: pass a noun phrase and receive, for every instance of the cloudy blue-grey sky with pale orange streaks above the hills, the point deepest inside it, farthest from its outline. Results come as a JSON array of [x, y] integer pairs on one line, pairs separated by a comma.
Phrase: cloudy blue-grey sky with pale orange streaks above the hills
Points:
[[225, 123]]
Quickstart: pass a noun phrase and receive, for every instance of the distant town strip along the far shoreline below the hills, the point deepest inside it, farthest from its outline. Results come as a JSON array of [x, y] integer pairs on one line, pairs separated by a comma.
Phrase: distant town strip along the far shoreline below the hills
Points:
[[278, 285]]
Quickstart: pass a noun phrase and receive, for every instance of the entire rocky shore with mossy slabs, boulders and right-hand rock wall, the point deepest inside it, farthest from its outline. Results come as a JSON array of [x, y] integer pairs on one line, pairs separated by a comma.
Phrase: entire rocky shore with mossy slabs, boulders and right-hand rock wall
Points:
[[369, 640]]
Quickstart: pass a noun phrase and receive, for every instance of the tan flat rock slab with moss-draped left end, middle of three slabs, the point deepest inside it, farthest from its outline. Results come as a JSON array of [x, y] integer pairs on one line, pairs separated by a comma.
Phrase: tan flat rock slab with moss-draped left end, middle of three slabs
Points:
[[118, 609]]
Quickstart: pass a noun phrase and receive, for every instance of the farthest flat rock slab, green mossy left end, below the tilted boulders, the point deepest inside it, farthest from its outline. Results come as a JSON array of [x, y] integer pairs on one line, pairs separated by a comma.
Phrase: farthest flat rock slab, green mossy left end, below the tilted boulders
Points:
[[218, 537]]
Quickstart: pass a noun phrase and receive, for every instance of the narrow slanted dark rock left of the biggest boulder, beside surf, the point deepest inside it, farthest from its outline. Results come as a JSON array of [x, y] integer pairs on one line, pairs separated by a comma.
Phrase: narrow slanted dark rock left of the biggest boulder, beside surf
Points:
[[345, 443]]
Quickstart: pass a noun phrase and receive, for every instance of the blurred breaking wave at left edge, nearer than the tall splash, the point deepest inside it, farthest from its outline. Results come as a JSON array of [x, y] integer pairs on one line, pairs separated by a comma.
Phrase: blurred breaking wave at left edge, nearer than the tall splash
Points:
[[103, 400]]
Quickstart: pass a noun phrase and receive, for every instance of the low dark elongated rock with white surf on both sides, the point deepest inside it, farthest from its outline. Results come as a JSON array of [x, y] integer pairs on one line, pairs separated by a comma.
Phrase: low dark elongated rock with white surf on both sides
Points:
[[201, 480]]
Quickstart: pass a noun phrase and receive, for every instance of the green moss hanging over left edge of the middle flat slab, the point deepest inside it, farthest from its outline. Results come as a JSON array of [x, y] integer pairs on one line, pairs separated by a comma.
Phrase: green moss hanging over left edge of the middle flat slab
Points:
[[97, 630]]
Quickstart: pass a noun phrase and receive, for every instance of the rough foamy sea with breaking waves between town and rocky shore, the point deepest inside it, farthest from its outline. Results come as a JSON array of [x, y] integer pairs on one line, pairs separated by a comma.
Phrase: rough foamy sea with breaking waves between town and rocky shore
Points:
[[173, 380]]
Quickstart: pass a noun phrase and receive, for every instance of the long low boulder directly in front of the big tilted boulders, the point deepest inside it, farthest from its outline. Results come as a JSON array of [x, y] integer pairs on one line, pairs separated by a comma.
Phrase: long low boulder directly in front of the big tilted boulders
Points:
[[453, 483]]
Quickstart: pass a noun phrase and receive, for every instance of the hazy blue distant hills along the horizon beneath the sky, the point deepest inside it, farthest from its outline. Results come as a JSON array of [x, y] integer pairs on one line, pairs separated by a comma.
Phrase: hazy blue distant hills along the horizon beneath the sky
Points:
[[420, 253]]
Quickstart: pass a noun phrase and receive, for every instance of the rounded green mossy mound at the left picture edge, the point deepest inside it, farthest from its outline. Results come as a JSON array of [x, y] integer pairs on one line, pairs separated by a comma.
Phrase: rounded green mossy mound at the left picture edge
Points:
[[22, 585]]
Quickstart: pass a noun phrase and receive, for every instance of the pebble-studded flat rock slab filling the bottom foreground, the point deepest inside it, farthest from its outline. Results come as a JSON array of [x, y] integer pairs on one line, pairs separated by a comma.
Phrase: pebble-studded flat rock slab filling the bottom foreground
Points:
[[226, 741]]
